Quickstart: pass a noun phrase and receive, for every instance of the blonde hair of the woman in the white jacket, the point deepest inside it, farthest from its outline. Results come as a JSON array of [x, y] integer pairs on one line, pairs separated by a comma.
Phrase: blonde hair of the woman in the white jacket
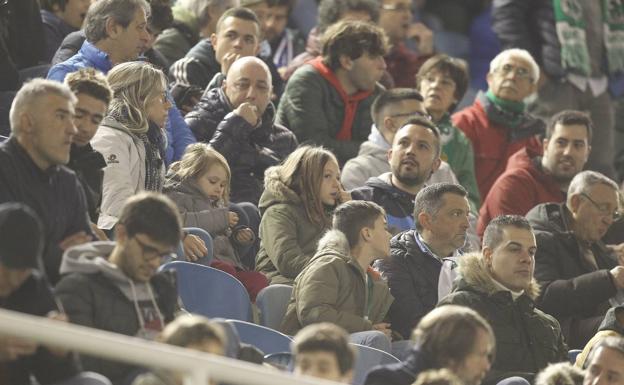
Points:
[[134, 86]]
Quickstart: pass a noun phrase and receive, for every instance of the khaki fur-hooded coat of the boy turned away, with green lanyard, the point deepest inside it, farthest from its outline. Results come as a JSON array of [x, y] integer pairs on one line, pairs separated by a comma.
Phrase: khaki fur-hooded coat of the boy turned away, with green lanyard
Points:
[[334, 288]]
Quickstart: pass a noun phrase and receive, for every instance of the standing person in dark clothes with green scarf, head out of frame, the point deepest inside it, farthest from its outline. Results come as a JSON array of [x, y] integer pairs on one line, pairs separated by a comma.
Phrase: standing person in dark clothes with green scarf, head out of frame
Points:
[[581, 69]]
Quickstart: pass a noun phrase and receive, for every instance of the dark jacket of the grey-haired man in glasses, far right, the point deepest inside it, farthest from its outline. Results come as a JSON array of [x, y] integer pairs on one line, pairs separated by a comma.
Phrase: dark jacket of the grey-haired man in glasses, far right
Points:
[[572, 291]]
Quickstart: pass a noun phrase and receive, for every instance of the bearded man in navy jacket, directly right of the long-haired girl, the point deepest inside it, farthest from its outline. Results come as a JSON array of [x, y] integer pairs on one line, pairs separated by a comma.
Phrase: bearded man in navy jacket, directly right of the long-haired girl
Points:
[[414, 155]]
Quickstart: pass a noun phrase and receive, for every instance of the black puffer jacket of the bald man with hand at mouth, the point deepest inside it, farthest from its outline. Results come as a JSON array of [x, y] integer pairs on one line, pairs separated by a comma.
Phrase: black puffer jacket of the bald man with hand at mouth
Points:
[[248, 150]]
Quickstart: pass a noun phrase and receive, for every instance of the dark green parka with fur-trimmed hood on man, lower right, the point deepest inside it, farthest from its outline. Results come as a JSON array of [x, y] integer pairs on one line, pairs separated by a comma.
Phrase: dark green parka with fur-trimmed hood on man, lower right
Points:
[[527, 339]]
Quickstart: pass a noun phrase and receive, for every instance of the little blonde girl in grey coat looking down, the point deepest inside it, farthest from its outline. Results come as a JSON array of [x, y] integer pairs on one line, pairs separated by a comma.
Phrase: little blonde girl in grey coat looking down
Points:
[[200, 186]]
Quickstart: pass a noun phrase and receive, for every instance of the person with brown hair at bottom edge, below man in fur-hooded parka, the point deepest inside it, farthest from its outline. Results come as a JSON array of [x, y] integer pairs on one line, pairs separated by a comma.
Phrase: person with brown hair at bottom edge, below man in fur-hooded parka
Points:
[[451, 337]]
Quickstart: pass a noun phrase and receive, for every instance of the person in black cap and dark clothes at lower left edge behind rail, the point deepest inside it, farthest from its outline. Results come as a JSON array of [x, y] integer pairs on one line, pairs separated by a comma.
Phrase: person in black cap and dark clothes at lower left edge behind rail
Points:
[[24, 289]]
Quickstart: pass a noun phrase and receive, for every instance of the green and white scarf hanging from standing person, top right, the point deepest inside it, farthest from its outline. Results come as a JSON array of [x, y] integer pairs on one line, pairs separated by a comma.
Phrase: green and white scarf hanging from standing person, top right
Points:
[[571, 33]]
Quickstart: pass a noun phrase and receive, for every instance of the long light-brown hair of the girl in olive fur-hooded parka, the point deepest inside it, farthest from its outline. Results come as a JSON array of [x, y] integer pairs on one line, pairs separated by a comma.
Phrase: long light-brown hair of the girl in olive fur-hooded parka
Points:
[[302, 172]]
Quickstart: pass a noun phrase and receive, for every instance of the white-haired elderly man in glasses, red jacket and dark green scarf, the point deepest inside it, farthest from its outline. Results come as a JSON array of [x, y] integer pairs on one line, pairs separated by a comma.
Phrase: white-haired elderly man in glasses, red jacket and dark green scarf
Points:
[[497, 124]]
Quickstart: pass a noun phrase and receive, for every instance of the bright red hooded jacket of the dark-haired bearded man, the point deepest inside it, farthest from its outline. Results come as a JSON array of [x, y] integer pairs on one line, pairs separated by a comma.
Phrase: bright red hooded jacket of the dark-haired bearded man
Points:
[[522, 186]]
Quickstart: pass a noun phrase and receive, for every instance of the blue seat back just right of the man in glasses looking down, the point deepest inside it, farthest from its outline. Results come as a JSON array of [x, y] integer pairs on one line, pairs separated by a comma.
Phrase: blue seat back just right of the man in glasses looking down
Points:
[[210, 292]]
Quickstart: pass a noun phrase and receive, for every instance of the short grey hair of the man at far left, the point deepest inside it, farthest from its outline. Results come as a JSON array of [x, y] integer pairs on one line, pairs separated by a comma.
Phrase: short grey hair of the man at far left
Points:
[[27, 98]]
